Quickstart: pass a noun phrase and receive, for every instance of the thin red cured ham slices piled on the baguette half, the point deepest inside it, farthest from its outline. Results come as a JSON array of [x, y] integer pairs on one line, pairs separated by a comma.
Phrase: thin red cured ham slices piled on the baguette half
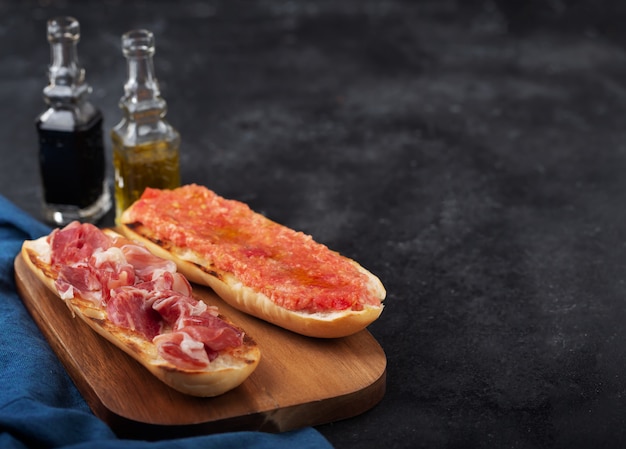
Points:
[[139, 292]]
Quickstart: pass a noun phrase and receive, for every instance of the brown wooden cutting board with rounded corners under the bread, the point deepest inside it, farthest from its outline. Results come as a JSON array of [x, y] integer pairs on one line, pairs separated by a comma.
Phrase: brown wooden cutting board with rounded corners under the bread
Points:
[[300, 381]]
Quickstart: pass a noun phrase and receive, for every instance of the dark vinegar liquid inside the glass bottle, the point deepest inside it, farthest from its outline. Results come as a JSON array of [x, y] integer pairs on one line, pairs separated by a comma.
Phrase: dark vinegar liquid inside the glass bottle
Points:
[[72, 164]]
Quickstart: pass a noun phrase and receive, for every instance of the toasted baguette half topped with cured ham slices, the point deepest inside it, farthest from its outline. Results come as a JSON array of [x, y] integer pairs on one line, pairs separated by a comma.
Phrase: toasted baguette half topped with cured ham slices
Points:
[[142, 304]]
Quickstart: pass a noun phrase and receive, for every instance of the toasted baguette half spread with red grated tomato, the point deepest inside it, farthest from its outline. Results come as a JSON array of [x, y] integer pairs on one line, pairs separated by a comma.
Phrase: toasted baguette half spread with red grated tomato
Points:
[[255, 264]]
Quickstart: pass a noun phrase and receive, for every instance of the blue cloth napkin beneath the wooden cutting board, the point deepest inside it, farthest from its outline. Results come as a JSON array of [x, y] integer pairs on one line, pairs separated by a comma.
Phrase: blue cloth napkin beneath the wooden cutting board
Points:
[[40, 406]]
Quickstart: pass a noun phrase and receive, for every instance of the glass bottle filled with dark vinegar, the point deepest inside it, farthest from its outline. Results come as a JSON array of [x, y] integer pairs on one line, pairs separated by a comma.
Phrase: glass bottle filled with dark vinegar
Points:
[[71, 149]]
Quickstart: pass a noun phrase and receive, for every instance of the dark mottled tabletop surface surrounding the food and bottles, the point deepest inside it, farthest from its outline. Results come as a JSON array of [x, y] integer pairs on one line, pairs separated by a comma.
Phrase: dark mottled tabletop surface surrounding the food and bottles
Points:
[[471, 154]]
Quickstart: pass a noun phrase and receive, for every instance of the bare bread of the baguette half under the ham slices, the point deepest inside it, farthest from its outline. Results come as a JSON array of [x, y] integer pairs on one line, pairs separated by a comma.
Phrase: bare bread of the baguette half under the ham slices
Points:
[[231, 368]]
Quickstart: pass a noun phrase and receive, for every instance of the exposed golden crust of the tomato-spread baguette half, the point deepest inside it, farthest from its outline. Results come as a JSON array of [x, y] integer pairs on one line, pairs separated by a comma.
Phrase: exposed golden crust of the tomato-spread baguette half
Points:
[[231, 290]]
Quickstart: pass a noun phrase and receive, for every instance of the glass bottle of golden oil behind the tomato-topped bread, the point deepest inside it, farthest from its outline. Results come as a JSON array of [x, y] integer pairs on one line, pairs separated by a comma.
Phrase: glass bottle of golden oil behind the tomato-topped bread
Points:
[[145, 145]]
